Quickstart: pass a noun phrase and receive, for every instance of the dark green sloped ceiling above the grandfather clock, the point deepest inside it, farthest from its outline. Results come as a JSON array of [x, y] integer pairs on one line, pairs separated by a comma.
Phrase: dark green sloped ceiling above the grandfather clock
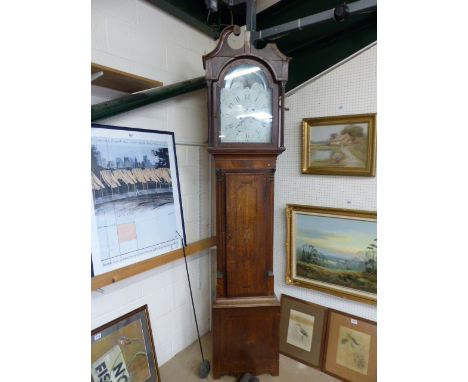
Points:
[[313, 49]]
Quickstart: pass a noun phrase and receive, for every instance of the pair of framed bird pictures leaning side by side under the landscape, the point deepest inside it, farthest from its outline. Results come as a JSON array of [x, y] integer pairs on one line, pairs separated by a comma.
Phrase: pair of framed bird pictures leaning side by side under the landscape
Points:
[[337, 343]]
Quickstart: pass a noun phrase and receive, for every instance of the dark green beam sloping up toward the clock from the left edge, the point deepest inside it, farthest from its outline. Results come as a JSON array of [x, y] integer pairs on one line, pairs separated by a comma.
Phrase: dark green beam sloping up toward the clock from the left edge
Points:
[[145, 97]]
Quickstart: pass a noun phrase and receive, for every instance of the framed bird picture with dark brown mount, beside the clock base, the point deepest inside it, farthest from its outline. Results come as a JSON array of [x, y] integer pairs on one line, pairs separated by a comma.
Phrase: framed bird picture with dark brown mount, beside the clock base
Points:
[[302, 330]]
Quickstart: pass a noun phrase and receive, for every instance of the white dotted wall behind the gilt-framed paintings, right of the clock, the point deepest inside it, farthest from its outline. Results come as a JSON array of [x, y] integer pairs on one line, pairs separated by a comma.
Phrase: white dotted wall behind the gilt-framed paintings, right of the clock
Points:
[[348, 89]]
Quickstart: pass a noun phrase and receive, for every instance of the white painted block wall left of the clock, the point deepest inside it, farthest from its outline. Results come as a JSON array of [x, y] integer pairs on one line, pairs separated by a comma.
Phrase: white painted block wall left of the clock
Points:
[[137, 37]]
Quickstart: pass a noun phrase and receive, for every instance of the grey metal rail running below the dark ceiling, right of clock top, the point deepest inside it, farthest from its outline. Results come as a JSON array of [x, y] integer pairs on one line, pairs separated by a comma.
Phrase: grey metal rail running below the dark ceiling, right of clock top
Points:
[[271, 33]]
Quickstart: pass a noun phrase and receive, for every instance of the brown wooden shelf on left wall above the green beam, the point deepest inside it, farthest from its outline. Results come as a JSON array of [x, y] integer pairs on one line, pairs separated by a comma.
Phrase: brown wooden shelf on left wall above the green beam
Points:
[[122, 81]]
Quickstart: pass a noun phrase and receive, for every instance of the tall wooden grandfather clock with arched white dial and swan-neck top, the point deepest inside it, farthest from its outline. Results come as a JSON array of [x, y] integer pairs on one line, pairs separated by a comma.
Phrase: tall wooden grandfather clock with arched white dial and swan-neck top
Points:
[[245, 137]]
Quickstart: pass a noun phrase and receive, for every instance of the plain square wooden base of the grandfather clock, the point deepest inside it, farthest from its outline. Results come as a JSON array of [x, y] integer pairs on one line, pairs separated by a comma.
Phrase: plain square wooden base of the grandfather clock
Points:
[[246, 336]]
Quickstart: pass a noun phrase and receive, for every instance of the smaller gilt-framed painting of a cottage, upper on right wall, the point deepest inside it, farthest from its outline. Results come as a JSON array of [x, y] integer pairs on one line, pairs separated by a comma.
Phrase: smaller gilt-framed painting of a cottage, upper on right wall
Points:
[[343, 145]]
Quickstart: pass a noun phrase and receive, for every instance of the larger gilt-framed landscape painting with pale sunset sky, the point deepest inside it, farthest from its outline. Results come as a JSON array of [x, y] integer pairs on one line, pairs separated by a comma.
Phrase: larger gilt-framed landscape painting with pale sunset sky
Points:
[[333, 250]]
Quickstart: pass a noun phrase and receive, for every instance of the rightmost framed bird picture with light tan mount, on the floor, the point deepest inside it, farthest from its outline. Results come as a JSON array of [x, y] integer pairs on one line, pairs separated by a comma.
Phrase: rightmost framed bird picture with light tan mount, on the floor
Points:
[[351, 352]]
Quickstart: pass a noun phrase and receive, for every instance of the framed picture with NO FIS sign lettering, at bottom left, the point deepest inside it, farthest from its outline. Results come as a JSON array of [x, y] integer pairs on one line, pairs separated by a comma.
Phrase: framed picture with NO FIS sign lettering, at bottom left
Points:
[[123, 350]]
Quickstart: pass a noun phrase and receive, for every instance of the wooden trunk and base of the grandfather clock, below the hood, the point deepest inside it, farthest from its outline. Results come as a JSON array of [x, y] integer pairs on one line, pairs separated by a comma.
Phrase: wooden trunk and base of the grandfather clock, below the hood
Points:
[[246, 312]]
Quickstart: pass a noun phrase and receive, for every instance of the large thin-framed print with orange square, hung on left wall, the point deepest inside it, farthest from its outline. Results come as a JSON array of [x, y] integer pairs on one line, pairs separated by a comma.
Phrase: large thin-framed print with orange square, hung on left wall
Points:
[[136, 208]]
